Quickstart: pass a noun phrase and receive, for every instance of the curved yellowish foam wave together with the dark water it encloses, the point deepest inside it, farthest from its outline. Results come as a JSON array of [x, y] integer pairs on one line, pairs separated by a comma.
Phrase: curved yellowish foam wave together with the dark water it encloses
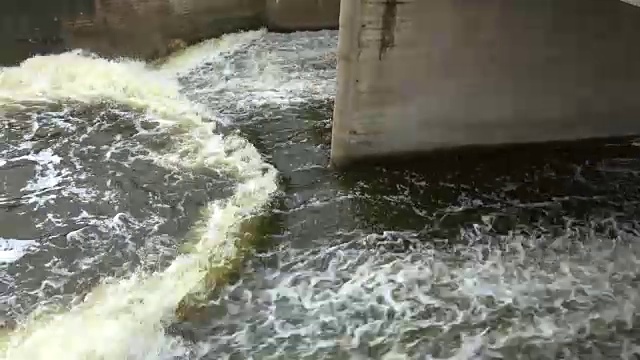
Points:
[[154, 165]]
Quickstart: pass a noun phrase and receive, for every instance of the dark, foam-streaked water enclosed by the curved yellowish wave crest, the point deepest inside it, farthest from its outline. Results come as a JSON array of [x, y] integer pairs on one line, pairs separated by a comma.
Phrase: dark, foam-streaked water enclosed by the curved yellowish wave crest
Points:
[[83, 183]]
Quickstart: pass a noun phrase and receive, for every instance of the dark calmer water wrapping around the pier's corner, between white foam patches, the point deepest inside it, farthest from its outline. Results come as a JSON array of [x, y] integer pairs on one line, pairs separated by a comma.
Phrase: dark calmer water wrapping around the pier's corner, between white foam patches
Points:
[[538, 188]]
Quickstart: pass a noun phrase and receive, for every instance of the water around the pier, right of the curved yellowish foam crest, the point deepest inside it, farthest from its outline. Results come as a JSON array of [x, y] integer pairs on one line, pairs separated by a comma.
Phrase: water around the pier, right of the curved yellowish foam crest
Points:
[[464, 258]]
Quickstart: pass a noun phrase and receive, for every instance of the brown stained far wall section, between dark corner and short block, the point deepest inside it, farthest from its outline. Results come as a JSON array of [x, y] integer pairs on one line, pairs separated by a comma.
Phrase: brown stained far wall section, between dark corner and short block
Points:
[[149, 28]]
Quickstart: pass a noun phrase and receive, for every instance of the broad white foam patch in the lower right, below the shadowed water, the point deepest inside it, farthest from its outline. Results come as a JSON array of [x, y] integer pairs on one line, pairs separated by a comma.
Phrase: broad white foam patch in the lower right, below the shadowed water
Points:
[[462, 302]]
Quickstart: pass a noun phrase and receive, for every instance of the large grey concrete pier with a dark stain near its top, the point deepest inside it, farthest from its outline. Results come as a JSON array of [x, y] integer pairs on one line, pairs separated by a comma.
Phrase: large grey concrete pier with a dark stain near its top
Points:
[[418, 75]]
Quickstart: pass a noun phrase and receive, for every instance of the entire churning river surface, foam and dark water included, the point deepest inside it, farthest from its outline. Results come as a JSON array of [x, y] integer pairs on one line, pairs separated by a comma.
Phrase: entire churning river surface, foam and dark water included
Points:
[[185, 210]]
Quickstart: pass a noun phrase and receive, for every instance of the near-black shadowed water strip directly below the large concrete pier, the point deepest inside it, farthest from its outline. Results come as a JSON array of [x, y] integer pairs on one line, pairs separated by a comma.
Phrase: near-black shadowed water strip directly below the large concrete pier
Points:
[[529, 187]]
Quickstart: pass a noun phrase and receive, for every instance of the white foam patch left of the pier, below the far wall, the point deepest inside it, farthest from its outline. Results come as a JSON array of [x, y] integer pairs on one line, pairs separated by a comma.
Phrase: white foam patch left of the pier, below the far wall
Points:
[[267, 71]]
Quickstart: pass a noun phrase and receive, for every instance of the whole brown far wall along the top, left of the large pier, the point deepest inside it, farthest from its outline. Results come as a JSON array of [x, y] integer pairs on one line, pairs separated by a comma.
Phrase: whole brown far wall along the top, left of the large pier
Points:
[[145, 28]]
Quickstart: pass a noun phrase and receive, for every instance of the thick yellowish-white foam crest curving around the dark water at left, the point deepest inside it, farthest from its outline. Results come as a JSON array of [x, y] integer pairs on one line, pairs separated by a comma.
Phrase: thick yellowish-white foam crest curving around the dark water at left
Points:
[[124, 318]]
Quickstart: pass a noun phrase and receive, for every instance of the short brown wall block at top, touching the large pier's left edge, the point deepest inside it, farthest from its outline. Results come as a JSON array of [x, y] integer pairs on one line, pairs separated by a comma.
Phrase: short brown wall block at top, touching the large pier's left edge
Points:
[[296, 15]]
